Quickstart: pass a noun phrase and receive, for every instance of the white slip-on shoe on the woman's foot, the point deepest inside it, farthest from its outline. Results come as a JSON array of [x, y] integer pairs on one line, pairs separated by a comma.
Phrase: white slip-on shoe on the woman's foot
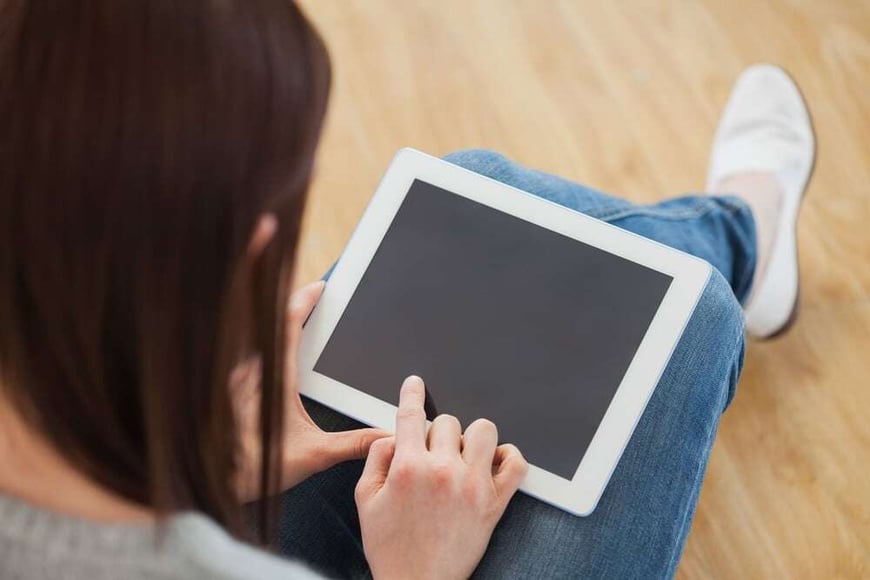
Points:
[[766, 128]]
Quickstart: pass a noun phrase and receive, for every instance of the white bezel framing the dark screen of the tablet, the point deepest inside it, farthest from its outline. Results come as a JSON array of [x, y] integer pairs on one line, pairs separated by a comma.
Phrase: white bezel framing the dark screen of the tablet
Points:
[[579, 495]]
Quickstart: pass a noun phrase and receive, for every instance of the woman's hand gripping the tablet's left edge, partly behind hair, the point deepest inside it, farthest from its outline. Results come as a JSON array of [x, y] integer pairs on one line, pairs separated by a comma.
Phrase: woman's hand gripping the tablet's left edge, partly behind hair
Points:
[[307, 448]]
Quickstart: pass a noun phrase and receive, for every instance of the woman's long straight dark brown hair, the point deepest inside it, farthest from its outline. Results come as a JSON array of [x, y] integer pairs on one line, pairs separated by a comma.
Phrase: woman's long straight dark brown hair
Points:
[[140, 141]]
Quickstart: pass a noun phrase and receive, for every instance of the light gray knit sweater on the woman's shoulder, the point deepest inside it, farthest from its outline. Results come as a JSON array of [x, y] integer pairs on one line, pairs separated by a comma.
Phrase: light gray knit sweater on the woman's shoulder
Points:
[[37, 544]]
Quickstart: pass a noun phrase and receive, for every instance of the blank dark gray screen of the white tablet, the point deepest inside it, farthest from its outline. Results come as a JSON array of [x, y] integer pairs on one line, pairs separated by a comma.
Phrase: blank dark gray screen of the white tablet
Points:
[[503, 319]]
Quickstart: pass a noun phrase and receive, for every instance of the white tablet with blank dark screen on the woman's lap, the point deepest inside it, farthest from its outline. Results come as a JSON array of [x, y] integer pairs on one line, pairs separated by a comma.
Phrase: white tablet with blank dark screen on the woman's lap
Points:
[[553, 324]]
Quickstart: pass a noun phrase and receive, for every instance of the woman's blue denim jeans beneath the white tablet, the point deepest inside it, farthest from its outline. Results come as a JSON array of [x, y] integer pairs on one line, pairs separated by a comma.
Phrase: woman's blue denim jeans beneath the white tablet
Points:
[[640, 525]]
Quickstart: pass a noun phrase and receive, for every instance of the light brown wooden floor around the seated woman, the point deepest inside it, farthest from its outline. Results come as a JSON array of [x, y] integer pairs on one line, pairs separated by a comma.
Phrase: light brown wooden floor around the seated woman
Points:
[[625, 96]]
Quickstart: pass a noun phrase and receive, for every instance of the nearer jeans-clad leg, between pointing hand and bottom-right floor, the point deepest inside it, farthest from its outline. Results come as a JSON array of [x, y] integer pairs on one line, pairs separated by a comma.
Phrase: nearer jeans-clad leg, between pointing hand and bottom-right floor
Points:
[[640, 525]]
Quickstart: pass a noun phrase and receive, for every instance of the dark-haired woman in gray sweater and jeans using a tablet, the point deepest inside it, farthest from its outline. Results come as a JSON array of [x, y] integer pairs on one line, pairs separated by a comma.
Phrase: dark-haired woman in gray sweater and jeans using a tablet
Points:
[[156, 156]]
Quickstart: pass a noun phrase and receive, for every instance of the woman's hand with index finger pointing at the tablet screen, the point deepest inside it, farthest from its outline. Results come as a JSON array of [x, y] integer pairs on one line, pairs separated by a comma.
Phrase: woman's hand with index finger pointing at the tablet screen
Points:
[[428, 503]]
